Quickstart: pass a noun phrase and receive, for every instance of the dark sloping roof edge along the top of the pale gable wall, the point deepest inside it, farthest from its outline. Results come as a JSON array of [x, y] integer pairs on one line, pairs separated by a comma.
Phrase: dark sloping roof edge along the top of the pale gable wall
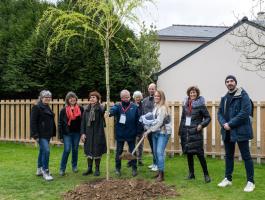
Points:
[[244, 20]]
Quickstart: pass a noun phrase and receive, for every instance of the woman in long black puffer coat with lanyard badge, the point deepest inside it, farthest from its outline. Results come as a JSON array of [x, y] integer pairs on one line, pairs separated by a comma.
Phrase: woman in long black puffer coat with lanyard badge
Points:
[[194, 118]]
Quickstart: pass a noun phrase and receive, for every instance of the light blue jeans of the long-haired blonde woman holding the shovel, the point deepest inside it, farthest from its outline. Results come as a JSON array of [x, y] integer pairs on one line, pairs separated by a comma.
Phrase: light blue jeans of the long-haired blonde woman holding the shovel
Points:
[[159, 145]]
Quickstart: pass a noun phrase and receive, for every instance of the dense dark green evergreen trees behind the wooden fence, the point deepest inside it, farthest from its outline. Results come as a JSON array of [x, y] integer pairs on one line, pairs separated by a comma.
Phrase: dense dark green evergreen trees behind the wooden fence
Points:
[[26, 68]]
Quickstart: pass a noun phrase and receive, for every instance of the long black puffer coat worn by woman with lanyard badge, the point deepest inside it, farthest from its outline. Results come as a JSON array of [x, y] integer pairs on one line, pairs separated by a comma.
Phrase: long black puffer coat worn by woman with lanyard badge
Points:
[[191, 139]]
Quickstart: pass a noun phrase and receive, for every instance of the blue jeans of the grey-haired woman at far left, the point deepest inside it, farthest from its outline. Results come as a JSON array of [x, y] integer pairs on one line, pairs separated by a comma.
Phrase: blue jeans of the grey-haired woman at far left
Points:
[[44, 153]]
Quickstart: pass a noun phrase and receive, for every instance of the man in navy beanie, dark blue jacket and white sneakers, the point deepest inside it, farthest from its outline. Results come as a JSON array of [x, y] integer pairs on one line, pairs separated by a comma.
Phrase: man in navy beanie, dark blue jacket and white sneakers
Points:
[[234, 117]]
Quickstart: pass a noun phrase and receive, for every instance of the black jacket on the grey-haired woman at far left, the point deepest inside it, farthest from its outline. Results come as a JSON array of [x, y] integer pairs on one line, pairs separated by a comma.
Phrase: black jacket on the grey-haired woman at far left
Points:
[[42, 123]]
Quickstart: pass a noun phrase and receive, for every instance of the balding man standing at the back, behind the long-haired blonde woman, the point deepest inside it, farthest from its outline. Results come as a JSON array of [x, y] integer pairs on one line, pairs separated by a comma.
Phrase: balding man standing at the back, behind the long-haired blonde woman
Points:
[[148, 106]]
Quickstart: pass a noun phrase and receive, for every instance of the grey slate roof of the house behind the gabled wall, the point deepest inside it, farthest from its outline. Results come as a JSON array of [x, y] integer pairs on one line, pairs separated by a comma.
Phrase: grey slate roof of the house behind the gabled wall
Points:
[[177, 31]]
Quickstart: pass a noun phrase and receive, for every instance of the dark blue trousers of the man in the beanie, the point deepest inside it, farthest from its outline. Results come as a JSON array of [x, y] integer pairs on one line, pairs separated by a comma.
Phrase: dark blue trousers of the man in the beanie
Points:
[[229, 159]]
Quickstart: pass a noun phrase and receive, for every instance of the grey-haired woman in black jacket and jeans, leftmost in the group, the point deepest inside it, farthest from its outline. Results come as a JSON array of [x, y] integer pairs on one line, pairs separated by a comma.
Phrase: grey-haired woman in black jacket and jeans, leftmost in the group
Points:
[[42, 129]]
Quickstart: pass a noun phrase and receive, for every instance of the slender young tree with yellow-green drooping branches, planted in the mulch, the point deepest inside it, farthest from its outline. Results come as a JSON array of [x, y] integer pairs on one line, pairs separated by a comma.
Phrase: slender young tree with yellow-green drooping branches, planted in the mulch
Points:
[[104, 18]]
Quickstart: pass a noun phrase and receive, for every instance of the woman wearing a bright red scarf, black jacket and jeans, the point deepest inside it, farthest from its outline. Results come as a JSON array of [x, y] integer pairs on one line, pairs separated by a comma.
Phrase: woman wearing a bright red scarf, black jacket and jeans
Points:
[[69, 130]]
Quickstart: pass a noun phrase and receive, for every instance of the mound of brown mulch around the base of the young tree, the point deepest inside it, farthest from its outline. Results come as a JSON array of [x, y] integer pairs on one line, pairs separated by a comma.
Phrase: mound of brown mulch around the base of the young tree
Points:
[[115, 189]]
